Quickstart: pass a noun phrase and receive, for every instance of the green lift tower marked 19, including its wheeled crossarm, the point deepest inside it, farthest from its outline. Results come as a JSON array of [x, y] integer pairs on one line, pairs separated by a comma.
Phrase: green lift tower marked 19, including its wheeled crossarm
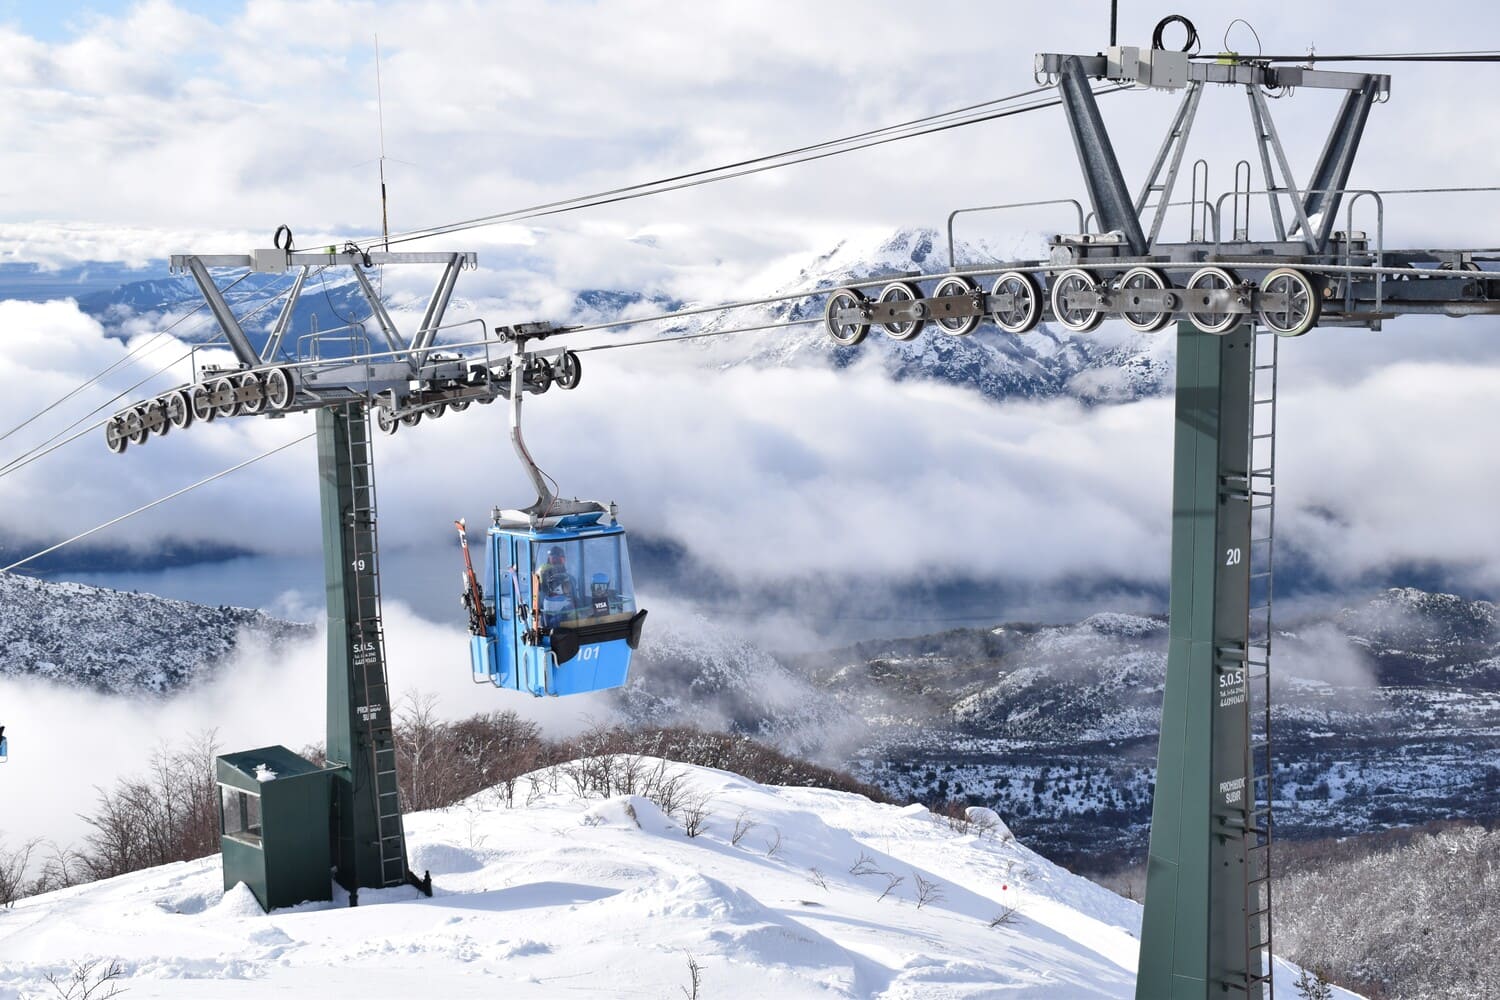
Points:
[[352, 389]]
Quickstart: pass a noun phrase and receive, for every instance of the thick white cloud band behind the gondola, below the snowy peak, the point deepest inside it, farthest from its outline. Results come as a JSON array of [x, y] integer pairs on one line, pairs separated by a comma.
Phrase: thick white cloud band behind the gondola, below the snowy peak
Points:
[[775, 473]]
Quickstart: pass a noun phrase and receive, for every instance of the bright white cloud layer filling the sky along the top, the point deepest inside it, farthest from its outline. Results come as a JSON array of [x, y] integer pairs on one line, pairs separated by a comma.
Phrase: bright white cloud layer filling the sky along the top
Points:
[[266, 115]]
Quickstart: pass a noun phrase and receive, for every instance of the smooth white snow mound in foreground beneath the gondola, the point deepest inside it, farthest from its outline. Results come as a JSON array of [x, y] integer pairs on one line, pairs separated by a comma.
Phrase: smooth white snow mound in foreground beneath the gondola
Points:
[[566, 896]]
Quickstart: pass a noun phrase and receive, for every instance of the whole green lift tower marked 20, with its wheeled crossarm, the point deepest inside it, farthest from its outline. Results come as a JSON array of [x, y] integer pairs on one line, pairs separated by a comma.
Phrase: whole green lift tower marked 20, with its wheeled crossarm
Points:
[[1235, 295]]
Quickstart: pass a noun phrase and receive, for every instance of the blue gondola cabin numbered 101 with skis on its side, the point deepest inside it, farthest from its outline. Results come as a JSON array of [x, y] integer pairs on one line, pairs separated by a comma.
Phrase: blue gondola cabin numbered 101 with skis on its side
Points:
[[557, 603]]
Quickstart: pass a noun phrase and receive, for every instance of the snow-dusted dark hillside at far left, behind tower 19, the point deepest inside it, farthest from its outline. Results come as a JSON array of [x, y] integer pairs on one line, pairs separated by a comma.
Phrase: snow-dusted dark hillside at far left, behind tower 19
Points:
[[118, 642]]
